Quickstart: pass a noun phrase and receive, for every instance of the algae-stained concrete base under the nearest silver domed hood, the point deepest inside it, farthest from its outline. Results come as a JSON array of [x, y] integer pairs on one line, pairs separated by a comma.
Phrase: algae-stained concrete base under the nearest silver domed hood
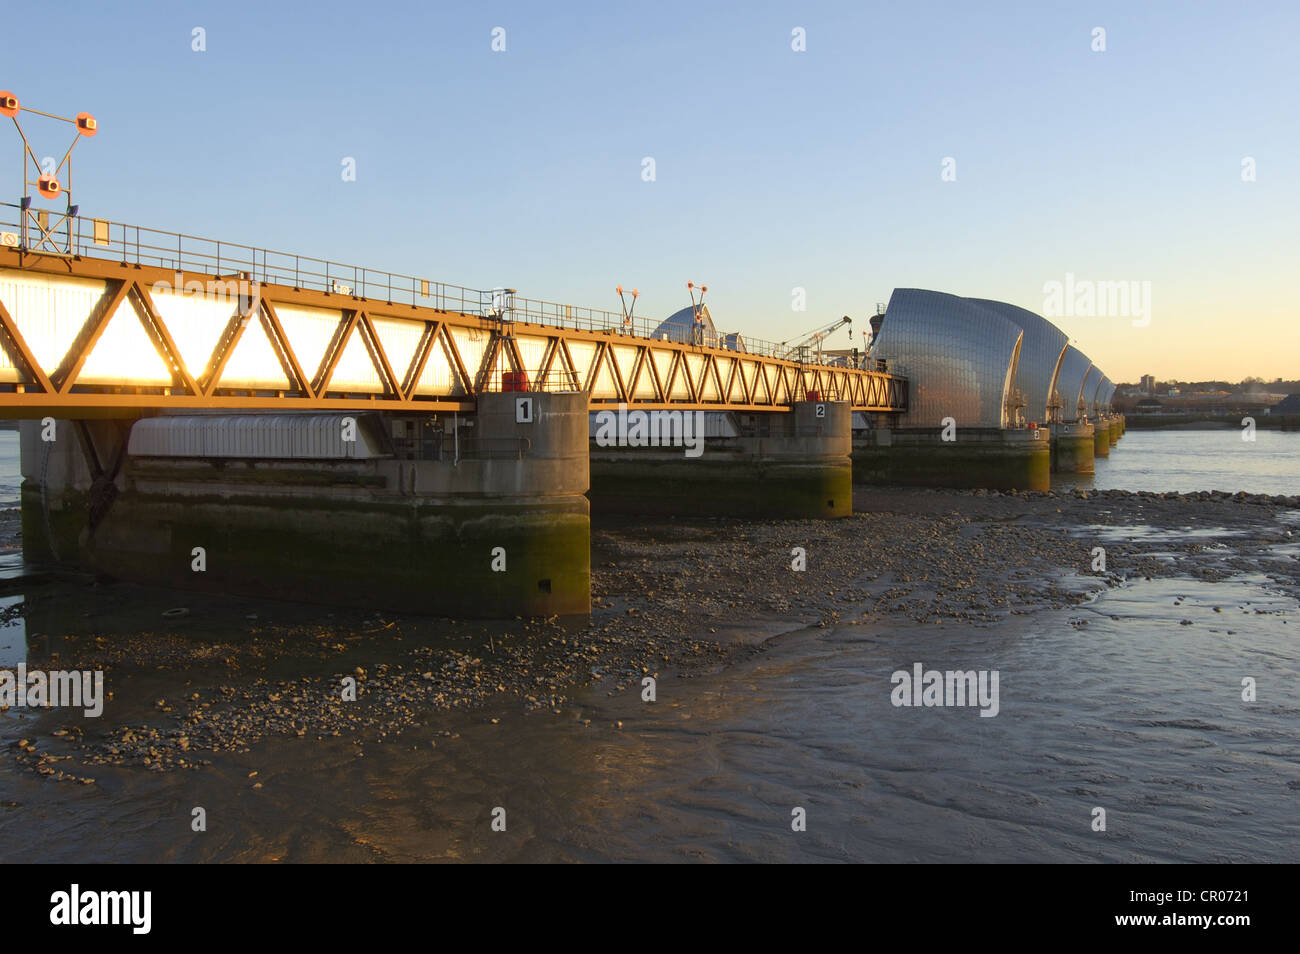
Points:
[[980, 458]]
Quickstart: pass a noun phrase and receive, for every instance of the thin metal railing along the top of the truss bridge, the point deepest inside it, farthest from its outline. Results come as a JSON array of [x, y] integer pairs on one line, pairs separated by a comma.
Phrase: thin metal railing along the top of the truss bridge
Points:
[[102, 238]]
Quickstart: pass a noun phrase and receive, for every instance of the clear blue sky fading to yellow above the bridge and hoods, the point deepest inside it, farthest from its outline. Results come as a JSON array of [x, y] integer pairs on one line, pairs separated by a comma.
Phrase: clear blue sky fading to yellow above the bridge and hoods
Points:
[[775, 170]]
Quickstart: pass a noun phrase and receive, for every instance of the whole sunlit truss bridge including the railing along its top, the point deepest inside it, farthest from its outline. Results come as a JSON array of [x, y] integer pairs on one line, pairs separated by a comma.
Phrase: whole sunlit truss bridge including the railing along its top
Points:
[[103, 319]]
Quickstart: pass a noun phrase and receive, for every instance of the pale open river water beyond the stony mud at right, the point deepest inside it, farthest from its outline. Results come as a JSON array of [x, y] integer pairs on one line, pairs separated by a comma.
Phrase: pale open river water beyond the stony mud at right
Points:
[[1190, 461]]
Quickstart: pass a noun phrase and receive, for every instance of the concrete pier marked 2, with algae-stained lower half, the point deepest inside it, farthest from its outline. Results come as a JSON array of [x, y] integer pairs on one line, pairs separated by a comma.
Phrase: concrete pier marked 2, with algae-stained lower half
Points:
[[779, 466]]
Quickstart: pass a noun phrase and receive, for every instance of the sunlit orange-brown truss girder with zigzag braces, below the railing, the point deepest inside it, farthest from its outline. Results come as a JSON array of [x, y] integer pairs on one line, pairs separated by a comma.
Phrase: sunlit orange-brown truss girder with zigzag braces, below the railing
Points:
[[131, 337]]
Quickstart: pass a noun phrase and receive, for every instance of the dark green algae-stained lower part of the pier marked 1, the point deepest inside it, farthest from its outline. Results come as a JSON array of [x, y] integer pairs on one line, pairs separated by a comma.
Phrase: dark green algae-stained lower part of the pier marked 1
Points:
[[431, 557]]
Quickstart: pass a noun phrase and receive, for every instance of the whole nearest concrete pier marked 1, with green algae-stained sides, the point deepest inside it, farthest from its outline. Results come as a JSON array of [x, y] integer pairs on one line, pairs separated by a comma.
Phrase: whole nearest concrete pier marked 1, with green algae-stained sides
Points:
[[495, 526]]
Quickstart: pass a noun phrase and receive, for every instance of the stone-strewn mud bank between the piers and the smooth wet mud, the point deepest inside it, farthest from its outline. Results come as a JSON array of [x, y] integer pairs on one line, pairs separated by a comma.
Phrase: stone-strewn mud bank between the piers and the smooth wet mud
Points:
[[198, 684]]
